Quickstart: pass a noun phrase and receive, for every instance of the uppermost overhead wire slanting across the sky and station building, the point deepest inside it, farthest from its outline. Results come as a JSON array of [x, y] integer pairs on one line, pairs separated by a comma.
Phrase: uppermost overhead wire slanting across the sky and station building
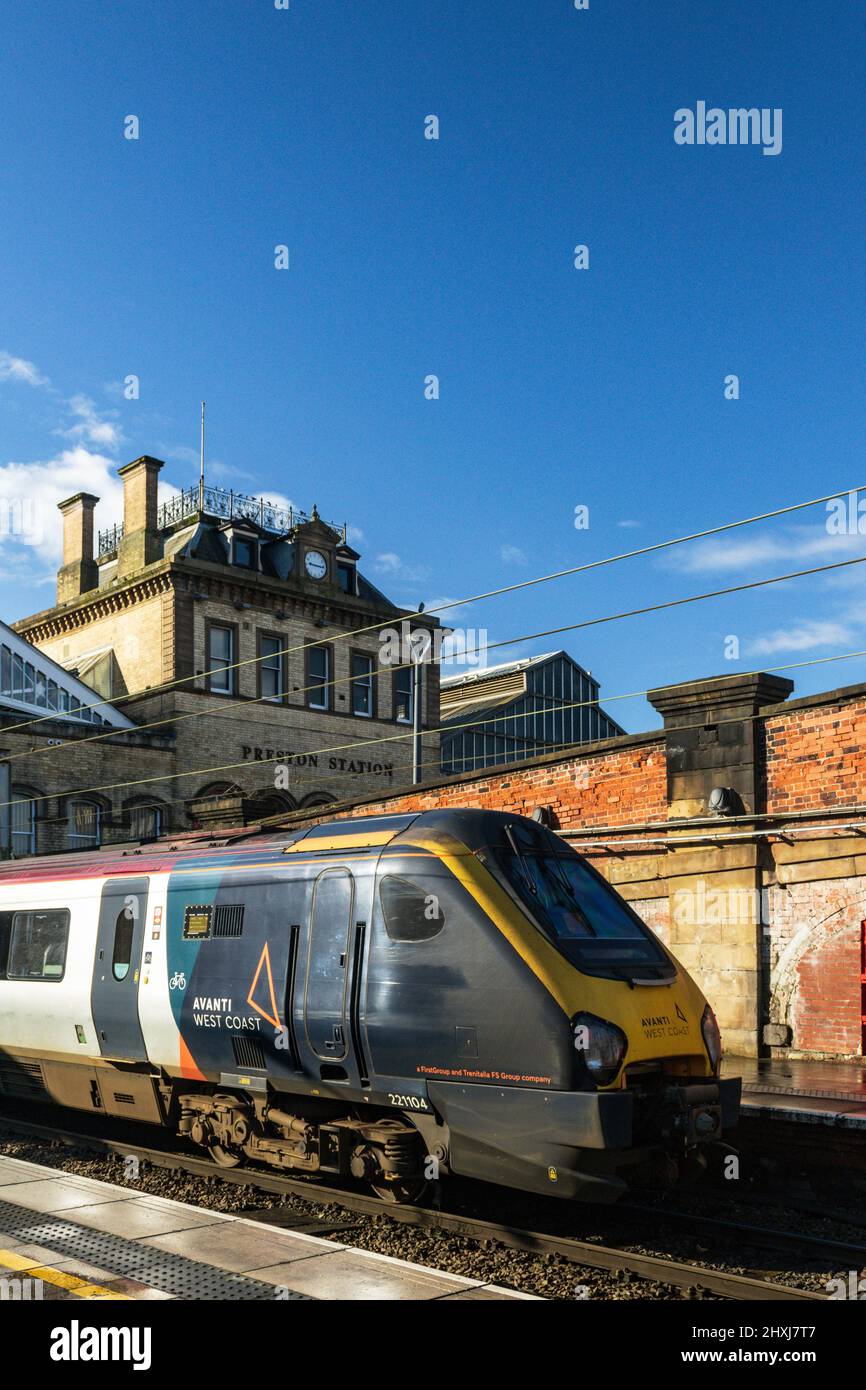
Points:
[[440, 608]]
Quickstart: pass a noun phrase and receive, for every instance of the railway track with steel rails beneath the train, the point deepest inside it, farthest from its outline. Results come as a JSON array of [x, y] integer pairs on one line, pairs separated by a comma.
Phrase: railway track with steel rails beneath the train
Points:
[[582, 1253]]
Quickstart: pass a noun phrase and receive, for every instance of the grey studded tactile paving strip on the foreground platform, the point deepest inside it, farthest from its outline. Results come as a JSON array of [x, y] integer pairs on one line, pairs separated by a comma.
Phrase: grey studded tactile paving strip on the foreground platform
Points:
[[126, 1259]]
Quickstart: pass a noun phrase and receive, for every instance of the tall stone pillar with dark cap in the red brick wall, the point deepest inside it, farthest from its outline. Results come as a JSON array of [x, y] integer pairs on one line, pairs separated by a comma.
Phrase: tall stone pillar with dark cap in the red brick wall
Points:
[[714, 740]]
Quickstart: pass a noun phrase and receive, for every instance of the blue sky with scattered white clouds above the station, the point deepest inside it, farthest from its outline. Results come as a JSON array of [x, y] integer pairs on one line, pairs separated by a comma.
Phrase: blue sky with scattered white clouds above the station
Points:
[[408, 258]]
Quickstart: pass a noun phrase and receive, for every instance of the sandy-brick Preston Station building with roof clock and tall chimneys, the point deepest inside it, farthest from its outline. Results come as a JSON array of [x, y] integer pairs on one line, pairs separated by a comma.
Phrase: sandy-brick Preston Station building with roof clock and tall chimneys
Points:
[[243, 641]]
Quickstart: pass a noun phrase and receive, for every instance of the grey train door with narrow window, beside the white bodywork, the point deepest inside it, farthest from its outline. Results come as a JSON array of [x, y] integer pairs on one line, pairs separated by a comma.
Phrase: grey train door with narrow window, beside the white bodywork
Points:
[[117, 968]]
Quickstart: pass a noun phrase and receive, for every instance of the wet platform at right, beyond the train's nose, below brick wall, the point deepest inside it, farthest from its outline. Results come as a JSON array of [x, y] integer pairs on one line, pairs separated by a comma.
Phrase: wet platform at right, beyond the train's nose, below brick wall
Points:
[[806, 1093]]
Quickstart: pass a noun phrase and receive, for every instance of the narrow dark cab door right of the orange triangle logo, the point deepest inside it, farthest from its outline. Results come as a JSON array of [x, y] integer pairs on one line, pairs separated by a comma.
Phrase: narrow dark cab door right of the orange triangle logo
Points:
[[333, 975]]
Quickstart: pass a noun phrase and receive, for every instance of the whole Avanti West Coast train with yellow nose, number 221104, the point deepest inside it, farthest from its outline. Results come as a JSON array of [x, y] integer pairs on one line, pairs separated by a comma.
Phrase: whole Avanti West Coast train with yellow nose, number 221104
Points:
[[390, 999]]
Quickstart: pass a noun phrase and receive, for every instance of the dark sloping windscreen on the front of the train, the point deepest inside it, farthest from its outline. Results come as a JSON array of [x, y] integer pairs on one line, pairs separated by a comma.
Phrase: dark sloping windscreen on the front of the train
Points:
[[580, 913]]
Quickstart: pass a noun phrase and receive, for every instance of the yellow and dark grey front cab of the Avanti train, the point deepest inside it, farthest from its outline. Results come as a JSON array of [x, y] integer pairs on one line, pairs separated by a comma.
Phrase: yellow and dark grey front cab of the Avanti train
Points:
[[564, 1047]]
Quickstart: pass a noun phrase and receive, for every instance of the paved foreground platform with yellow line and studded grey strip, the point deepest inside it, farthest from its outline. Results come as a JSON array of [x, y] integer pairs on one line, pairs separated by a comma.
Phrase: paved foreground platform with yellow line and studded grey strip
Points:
[[72, 1238]]
